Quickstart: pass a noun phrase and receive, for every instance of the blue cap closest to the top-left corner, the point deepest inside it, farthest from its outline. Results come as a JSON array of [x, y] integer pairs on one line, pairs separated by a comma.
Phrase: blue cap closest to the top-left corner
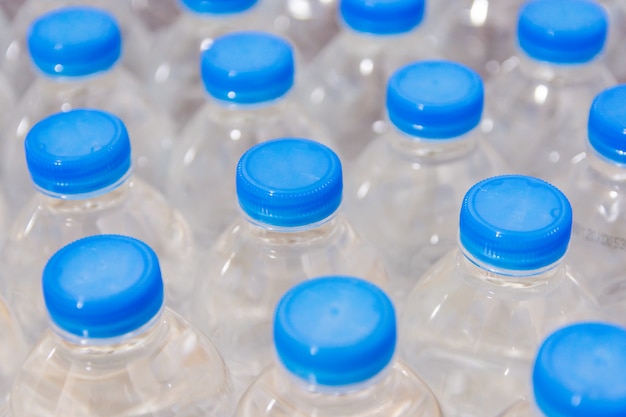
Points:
[[74, 41]]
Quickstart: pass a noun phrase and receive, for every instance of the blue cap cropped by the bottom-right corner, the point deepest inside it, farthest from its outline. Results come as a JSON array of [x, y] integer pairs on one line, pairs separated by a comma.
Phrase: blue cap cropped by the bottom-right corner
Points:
[[579, 372]]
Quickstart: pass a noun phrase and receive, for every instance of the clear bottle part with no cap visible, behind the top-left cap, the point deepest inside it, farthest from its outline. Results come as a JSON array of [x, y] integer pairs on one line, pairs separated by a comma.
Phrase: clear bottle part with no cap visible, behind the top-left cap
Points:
[[16, 59]]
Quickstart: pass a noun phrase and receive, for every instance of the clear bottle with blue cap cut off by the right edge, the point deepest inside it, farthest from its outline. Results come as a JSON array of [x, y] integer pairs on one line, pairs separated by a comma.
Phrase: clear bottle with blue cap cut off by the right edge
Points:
[[595, 190]]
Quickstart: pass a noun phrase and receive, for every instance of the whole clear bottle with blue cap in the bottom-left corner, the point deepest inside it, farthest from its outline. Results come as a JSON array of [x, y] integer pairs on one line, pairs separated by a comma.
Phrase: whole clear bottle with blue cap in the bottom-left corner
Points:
[[113, 348]]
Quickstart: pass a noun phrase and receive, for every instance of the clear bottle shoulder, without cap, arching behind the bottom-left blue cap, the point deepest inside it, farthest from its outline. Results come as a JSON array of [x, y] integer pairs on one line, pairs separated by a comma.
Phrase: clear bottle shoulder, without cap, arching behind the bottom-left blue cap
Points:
[[46, 224]]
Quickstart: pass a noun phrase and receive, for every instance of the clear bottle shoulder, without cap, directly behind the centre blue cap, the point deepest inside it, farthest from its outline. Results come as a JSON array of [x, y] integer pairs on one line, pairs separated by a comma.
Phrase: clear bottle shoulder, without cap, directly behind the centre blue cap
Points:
[[203, 165]]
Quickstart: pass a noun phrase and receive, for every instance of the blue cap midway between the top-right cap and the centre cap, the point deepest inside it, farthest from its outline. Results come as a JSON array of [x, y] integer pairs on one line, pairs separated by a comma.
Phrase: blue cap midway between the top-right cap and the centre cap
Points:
[[435, 99]]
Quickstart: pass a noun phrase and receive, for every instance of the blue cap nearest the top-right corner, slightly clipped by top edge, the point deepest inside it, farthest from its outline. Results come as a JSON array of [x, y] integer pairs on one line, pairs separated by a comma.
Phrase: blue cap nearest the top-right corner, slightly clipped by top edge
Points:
[[562, 31]]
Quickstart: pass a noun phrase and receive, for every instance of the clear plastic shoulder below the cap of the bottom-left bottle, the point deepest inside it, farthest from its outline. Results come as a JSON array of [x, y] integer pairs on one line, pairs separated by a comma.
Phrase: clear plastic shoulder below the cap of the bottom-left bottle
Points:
[[171, 369]]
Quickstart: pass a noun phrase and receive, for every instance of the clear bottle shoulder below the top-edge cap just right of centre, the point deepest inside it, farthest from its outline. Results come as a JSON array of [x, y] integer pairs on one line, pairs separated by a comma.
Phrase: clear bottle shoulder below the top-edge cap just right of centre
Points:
[[344, 87]]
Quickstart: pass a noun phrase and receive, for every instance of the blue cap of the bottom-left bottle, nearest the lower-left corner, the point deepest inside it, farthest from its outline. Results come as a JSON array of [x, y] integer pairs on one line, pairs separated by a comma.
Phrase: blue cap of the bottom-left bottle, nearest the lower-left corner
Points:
[[103, 286]]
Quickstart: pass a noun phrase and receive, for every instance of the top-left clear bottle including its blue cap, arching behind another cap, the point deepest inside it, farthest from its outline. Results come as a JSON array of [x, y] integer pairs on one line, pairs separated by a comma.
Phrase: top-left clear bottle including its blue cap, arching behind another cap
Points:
[[76, 51]]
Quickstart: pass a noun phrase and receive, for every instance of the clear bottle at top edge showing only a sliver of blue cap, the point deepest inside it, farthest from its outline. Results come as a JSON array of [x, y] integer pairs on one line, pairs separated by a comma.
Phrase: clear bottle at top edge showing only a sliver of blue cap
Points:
[[175, 74]]
